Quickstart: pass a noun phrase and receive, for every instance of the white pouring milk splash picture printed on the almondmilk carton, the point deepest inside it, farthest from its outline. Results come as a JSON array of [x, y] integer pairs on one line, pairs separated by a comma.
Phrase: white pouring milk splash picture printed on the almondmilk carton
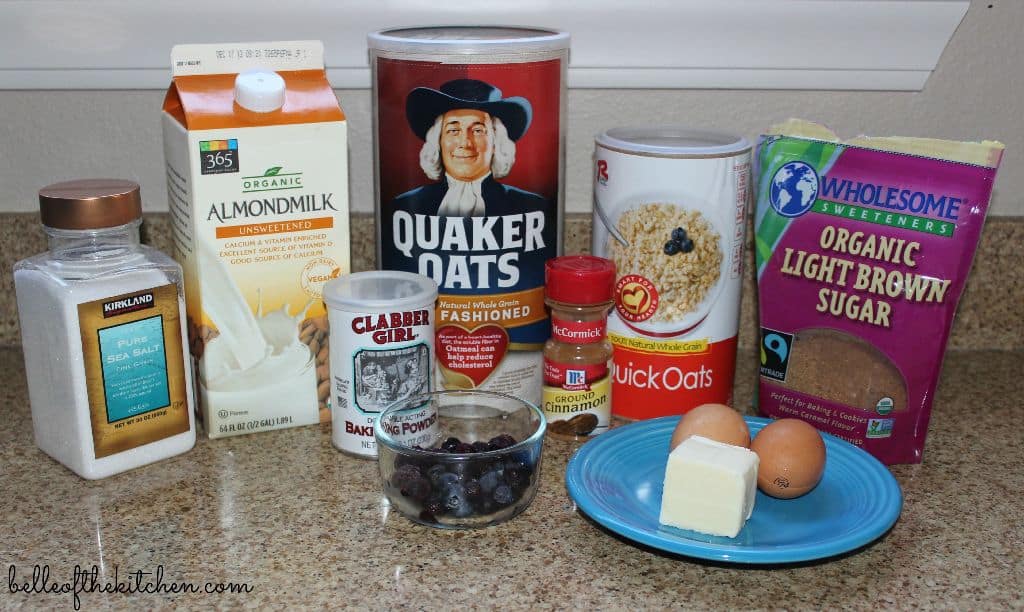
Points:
[[258, 365]]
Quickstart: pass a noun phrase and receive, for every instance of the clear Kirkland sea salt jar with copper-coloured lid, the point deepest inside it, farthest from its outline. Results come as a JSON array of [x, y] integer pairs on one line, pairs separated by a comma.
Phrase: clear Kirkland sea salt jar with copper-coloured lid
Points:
[[104, 335]]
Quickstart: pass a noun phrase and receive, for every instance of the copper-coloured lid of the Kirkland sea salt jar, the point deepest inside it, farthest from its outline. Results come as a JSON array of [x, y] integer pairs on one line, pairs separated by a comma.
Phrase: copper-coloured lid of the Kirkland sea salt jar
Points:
[[91, 204]]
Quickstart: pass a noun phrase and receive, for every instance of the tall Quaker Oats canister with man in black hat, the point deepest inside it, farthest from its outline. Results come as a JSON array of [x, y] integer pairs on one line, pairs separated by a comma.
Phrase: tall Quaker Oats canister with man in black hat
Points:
[[470, 141]]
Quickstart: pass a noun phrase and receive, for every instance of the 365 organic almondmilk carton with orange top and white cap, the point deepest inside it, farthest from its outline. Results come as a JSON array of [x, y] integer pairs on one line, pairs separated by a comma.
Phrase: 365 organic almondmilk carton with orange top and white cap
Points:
[[258, 178]]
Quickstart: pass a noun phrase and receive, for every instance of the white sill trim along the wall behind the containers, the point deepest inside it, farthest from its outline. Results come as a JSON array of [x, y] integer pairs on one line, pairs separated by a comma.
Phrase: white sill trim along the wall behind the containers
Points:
[[736, 45]]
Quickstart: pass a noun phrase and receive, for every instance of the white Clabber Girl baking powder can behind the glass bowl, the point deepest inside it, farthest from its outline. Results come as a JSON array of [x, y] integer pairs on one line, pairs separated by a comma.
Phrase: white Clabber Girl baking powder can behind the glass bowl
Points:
[[382, 352]]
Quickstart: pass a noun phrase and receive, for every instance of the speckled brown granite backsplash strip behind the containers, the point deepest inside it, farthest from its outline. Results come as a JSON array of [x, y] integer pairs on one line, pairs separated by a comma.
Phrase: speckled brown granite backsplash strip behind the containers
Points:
[[989, 318]]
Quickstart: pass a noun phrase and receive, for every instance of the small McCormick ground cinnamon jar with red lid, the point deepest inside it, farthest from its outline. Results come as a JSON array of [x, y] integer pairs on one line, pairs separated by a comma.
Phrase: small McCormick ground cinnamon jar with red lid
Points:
[[578, 357]]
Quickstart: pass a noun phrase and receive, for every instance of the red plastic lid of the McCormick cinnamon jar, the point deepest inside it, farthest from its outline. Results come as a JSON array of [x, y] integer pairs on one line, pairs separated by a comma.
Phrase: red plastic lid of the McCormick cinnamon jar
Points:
[[580, 280]]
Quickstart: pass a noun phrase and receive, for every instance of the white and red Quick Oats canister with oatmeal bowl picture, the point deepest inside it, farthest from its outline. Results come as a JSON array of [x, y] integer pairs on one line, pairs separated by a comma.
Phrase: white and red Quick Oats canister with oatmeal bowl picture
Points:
[[670, 209]]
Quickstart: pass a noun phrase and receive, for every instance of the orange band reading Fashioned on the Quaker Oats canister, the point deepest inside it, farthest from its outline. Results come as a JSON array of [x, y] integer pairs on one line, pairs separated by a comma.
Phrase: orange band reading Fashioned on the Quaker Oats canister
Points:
[[507, 311]]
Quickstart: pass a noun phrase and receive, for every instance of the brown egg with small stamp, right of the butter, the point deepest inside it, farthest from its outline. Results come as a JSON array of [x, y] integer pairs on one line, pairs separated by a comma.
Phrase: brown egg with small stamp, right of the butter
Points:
[[792, 458]]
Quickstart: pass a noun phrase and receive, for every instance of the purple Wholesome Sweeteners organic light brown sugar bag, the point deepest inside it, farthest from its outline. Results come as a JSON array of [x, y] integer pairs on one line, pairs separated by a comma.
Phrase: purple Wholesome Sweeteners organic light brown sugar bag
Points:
[[863, 251]]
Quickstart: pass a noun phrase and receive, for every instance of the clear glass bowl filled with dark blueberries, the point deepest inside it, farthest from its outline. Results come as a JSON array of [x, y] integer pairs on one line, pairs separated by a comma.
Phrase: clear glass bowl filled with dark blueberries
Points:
[[459, 460]]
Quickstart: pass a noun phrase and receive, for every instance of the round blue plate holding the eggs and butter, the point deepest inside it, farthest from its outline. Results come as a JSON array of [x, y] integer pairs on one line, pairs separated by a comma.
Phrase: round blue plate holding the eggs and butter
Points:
[[617, 479]]
